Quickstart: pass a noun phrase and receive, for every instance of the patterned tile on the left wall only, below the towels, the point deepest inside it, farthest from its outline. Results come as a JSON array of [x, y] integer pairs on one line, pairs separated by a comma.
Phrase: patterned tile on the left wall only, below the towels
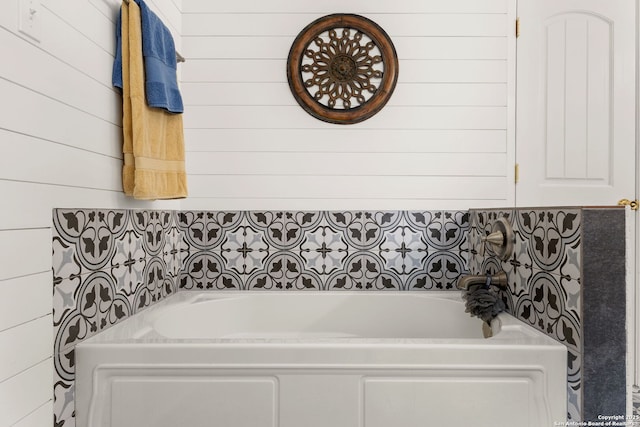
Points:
[[106, 265]]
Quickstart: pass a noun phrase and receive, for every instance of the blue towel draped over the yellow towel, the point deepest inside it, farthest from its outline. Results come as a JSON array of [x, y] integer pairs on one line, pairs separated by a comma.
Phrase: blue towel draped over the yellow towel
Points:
[[159, 51]]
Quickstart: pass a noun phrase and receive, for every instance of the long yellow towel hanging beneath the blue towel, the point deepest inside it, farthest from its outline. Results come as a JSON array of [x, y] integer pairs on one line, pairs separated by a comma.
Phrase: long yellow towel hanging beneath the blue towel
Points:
[[153, 138]]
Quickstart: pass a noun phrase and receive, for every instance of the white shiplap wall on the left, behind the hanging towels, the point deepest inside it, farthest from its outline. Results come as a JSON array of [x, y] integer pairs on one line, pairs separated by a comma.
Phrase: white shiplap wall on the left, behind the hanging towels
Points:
[[61, 147]]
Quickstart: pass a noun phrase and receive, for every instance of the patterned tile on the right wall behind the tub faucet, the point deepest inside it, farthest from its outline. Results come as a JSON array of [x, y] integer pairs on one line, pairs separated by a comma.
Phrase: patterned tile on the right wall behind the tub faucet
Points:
[[544, 278]]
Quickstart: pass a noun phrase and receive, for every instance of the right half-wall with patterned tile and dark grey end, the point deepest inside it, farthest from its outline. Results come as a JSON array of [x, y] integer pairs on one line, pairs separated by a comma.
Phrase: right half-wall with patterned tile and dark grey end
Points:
[[549, 280]]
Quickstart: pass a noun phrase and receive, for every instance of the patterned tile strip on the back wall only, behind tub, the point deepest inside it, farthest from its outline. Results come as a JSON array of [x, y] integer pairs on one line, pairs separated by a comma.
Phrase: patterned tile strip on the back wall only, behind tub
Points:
[[282, 250]]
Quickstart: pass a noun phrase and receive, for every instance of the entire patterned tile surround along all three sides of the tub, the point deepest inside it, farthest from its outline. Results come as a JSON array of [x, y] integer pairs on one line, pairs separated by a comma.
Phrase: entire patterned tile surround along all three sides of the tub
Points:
[[110, 264]]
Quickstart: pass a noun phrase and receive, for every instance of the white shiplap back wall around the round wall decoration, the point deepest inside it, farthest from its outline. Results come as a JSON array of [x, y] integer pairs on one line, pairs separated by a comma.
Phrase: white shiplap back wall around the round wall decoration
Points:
[[444, 140]]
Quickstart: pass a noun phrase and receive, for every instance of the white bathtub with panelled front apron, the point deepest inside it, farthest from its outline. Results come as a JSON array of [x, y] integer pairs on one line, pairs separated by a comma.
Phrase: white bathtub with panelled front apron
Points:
[[318, 359]]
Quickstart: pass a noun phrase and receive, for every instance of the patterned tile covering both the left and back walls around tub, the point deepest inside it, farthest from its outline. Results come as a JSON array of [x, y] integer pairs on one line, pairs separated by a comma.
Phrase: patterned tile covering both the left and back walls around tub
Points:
[[110, 264]]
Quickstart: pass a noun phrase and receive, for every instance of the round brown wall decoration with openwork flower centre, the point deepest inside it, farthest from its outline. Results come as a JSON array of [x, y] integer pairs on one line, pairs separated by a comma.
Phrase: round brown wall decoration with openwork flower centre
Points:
[[342, 68]]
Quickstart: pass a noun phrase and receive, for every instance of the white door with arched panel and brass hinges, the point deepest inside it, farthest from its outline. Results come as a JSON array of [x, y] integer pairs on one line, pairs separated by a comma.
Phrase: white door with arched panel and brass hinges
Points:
[[576, 80]]
